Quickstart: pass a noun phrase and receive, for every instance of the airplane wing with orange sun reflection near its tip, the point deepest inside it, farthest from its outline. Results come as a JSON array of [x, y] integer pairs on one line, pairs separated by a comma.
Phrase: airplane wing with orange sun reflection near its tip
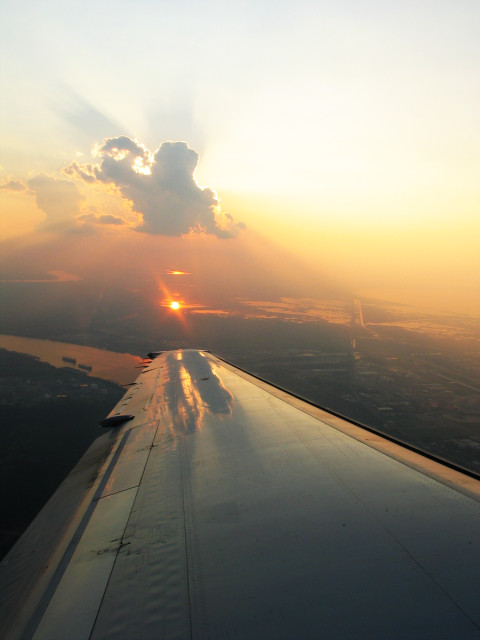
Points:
[[218, 506]]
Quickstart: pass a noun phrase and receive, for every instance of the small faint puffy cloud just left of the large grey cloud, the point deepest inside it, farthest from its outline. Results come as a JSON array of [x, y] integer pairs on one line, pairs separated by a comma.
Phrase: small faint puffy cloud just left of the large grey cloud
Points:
[[59, 199]]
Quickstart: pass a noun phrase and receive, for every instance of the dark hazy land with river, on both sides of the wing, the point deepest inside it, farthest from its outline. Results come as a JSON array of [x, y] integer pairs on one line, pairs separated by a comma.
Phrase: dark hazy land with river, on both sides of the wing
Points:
[[408, 373]]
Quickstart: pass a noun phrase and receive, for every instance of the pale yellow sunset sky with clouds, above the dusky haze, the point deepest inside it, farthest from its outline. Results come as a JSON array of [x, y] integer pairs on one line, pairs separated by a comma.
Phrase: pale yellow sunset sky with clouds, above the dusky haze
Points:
[[341, 136]]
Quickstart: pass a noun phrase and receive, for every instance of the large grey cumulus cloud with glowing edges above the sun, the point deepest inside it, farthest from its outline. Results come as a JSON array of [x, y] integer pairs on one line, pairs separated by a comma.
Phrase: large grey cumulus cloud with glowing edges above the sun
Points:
[[161, 186]]
